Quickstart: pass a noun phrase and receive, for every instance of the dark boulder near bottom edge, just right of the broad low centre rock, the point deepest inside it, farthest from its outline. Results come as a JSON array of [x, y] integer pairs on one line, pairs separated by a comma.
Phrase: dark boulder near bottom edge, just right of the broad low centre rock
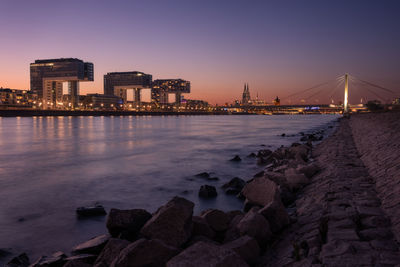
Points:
[[247, 248]]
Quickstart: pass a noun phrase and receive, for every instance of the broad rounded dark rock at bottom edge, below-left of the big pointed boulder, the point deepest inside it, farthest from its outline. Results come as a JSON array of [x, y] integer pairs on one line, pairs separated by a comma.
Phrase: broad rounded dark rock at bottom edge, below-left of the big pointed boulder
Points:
[[145, 253]]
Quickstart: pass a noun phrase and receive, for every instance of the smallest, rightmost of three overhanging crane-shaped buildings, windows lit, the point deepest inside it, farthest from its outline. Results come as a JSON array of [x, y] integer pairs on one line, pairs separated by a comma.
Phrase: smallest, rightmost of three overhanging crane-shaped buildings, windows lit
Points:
[[162, 88]]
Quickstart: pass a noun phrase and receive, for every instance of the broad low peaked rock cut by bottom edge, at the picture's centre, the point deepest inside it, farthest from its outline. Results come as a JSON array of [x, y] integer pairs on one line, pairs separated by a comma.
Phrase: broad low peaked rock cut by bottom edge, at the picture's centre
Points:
[[206, 254]]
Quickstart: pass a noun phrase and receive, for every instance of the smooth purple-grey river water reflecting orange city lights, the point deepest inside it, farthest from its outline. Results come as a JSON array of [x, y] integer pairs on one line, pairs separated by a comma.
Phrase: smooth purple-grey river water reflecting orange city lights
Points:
[[50, 166]]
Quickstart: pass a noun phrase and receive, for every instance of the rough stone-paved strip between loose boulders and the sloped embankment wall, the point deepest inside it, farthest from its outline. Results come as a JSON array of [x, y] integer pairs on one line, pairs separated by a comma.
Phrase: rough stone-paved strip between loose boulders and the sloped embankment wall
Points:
[[339, 219]]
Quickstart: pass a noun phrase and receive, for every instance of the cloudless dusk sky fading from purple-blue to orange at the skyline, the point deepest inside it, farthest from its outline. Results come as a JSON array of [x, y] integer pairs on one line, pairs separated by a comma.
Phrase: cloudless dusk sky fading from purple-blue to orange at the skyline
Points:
[[278, 47]]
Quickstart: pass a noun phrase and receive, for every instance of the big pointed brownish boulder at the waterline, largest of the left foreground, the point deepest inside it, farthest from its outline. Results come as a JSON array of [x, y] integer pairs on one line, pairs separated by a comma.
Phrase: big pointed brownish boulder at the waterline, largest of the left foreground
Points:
[[172, 222]]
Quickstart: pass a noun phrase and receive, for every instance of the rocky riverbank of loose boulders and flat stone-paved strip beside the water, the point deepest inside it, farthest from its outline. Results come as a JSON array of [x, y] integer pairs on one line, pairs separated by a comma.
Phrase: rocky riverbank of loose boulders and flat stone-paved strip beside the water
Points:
[[311, 206]]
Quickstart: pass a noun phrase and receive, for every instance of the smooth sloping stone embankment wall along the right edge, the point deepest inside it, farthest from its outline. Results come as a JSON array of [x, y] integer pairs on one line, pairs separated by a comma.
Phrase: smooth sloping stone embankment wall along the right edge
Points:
[[377, 137]]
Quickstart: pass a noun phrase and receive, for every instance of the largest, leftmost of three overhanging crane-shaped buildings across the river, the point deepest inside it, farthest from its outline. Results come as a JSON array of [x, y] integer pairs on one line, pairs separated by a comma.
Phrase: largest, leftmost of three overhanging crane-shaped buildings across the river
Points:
[[48, 76]]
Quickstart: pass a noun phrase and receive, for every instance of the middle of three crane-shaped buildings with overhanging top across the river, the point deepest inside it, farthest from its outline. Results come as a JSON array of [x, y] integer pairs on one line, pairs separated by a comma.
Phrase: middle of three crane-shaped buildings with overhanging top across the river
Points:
[[117, 84]]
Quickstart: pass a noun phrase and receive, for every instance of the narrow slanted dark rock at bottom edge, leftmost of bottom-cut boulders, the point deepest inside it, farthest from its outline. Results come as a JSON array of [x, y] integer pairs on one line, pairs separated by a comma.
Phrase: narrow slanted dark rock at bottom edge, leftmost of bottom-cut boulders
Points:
[[110, 252]]
